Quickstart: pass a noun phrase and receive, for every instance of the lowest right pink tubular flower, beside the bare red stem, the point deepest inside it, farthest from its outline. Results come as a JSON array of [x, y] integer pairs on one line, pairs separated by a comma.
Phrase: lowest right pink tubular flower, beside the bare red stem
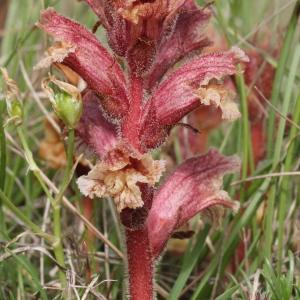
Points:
[[193, 187]]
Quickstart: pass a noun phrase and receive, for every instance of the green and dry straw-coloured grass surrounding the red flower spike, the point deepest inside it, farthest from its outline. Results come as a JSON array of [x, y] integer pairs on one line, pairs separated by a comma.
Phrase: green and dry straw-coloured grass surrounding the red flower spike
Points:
[[253, 255]]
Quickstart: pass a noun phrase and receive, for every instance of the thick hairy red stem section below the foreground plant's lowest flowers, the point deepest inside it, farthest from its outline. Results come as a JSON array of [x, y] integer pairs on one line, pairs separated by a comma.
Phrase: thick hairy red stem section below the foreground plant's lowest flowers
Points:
[[140, 265]]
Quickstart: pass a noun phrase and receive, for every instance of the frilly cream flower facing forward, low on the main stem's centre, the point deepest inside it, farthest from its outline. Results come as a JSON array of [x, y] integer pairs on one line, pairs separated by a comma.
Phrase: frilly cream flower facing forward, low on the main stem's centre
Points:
[[117, 176]]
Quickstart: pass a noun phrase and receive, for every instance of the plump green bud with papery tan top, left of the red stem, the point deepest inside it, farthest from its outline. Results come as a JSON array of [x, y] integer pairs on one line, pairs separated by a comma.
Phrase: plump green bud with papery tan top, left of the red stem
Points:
[[66, 100]]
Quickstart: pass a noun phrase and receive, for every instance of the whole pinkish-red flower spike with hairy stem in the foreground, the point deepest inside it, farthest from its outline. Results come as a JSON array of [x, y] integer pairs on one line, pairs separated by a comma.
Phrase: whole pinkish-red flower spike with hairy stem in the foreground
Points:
[[133, 98]]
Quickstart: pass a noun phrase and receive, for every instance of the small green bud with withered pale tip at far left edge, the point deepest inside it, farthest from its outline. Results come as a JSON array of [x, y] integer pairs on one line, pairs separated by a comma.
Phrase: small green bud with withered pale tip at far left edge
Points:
[[13, 102]]
